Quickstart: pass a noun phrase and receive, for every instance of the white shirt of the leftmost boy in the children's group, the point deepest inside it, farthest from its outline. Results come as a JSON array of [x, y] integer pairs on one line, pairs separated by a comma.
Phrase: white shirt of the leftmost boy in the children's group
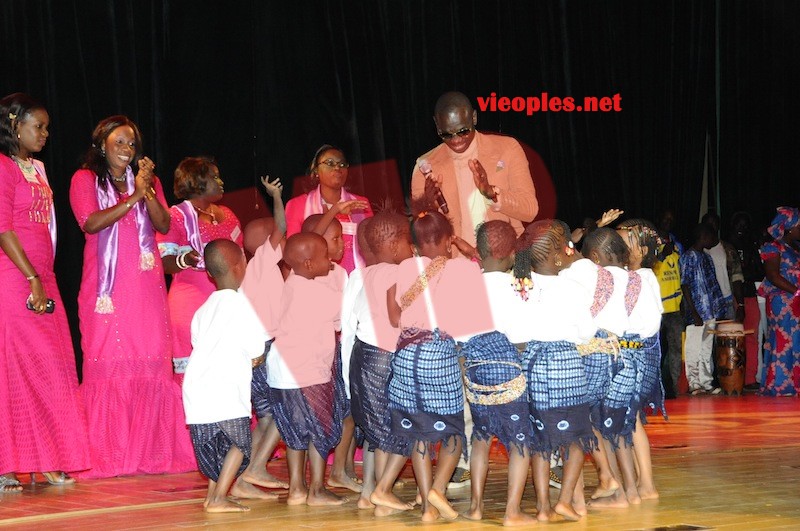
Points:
[[226, 335]]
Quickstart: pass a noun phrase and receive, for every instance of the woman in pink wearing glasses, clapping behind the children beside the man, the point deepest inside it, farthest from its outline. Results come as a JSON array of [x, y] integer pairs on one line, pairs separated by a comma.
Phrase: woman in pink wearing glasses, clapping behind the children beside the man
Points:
[[328, 171]]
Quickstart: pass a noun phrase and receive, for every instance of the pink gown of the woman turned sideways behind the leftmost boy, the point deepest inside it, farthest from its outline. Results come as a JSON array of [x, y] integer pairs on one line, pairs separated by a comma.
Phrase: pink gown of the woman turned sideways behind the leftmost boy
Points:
[[191, 287]]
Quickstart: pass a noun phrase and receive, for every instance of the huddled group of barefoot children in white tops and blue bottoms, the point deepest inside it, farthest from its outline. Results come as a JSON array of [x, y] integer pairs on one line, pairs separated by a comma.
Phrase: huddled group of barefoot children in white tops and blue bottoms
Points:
[[553, 352]]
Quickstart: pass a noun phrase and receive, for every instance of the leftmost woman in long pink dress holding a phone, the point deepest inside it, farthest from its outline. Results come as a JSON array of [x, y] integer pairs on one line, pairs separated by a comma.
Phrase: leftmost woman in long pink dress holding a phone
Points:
[[42, 427]]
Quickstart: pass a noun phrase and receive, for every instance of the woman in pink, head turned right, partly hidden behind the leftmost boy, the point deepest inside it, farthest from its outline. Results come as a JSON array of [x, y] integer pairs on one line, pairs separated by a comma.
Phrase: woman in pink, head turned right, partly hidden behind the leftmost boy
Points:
[[194, 223]]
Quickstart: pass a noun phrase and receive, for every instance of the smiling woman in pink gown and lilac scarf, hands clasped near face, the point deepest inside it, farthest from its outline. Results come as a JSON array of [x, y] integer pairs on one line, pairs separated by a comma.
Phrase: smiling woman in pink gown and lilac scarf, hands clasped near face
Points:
[[133, 406]]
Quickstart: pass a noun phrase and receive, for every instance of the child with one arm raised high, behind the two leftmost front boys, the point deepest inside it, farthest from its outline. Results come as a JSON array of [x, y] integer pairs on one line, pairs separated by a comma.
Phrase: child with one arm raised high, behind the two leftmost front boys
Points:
[[263, 284]]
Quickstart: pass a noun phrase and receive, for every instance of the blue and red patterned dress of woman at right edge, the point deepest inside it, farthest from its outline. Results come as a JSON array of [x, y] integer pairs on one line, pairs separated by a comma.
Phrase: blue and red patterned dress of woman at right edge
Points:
[[782, 347]]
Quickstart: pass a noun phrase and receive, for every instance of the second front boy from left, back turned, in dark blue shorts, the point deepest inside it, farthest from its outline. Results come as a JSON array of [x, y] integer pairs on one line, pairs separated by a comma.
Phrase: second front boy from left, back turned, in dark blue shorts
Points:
[[300, 365]]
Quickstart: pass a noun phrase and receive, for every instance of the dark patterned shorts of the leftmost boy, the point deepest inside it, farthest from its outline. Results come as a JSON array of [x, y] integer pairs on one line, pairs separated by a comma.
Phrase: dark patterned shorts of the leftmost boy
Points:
[[212, 442]]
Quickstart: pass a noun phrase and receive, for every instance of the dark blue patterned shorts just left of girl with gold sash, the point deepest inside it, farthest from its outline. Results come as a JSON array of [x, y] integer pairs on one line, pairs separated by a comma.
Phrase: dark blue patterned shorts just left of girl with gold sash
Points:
[[370, 369]]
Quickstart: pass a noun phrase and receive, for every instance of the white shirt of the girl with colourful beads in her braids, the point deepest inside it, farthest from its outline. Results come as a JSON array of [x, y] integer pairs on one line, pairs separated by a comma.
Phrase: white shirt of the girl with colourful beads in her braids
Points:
[[557, 309]]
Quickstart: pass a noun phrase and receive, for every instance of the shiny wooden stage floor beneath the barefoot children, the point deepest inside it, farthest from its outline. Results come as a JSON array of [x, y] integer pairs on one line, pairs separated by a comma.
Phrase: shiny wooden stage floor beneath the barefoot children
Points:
[[719, 463]]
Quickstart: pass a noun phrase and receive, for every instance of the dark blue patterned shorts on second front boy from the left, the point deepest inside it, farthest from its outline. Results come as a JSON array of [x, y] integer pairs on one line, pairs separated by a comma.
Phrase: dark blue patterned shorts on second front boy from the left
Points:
[[307, 416]]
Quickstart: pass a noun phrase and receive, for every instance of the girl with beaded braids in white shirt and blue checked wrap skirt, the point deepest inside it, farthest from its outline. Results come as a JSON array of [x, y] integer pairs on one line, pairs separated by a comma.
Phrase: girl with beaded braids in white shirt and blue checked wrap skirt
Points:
[[559, 320]]
